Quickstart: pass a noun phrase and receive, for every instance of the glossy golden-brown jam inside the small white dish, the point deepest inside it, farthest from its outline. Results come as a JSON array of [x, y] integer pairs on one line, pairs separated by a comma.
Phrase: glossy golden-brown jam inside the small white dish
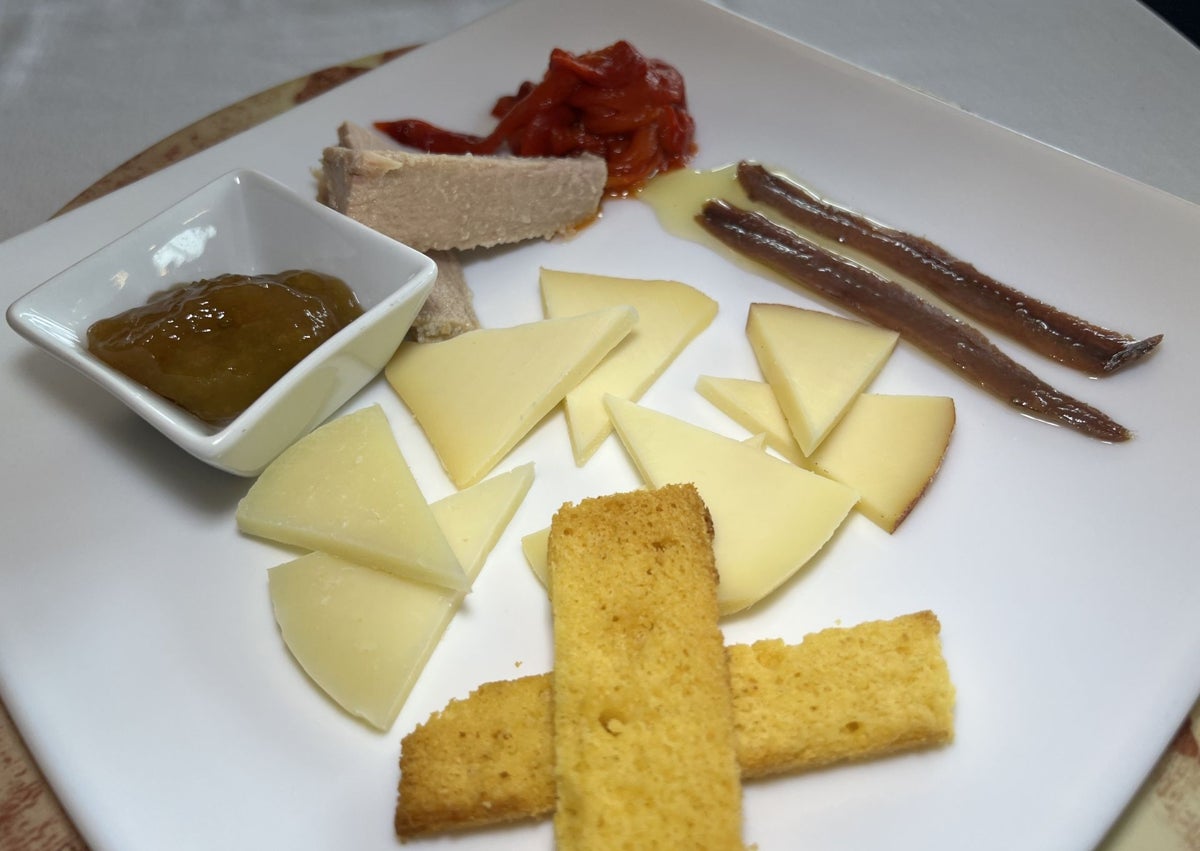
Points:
[[215, 346]]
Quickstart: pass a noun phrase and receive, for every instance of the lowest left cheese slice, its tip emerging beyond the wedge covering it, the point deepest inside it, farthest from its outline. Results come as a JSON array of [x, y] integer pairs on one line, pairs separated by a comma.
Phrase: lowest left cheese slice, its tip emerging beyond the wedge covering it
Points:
[[364, 636]]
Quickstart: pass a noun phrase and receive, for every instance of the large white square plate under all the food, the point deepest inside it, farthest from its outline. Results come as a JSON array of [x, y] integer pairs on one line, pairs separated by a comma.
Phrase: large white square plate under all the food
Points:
[[137, 648]]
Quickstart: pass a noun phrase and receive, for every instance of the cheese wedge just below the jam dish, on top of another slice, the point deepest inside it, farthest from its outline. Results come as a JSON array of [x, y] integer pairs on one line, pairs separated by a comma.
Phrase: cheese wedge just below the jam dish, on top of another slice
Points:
[[346, 489]]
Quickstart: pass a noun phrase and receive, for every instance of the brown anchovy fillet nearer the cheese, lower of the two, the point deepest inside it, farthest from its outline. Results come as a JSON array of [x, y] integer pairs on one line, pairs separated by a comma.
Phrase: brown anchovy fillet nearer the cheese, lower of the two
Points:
[[890, 305]]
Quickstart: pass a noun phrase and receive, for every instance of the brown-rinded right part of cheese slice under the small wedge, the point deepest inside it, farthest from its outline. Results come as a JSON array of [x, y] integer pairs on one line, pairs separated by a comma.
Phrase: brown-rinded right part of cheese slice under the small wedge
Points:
[[889, 450]]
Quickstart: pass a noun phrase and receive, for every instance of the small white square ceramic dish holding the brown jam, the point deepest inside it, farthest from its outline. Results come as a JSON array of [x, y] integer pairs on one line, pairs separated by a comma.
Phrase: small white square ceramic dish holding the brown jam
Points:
[[244, 224]]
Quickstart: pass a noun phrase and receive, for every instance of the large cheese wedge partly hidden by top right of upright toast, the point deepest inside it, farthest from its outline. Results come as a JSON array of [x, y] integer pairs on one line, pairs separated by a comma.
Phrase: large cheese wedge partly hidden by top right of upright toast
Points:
[[771, 517]]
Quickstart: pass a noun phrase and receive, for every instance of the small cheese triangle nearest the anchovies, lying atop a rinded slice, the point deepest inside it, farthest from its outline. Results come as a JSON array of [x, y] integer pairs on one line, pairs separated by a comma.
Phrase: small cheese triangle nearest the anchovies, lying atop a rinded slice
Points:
[[817, 363]]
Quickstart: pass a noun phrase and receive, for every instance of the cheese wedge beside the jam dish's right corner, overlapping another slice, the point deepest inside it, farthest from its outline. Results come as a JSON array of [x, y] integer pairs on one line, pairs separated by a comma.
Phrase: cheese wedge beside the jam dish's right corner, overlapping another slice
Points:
[[478, 394]]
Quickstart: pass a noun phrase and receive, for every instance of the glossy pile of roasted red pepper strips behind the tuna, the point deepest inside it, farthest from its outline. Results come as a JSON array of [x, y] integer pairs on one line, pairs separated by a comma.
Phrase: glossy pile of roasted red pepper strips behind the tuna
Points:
[[613, 103]]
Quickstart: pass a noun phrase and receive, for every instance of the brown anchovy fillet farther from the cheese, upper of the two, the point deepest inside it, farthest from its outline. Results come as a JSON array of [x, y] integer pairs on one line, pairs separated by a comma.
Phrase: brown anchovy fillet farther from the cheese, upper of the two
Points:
[[1042, 327]]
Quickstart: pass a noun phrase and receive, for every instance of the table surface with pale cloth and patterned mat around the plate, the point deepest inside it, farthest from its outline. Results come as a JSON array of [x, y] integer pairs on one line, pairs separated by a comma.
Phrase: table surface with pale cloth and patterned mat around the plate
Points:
[[1105, 80]]
